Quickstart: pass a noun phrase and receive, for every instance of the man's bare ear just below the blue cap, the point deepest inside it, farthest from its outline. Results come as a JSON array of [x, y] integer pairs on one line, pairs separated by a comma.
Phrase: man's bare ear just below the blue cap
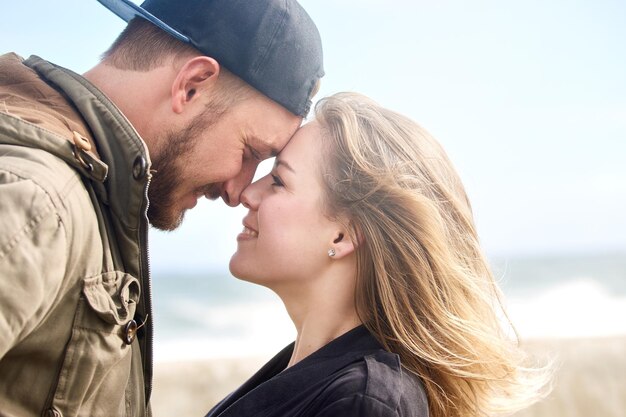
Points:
[[194, 78]]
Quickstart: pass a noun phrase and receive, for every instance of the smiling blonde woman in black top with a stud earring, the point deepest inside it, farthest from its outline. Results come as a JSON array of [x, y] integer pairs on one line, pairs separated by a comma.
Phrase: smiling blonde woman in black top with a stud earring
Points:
[[364, 230]]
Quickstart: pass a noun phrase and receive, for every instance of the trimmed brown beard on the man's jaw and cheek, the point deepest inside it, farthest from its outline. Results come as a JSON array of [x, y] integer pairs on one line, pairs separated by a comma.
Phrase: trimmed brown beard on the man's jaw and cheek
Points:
[[167, 169]]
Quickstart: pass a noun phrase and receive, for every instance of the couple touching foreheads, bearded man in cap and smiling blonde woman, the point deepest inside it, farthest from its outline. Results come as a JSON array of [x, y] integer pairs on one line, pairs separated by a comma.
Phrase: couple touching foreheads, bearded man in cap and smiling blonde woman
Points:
[[362, 227]]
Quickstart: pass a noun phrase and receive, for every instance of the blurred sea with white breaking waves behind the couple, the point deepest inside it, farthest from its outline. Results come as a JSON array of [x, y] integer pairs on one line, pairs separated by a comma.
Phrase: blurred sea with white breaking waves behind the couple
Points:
[[211, 314]]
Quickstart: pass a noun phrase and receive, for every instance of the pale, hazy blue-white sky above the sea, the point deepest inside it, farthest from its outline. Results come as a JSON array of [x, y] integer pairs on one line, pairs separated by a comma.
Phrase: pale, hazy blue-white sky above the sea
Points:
[[528, 98]]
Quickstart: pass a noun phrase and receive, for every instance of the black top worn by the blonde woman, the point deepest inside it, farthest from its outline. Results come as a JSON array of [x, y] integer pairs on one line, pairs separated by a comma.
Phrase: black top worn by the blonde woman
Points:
[[352, 376]]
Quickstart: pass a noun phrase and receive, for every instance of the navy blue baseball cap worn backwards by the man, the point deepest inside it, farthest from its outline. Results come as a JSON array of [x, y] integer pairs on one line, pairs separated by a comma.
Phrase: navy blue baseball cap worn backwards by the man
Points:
[[273, 45]]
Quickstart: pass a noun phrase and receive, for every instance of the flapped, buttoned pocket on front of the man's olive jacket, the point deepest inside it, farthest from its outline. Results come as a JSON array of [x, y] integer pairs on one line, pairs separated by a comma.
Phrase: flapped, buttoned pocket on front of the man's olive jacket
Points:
[[97, 363]]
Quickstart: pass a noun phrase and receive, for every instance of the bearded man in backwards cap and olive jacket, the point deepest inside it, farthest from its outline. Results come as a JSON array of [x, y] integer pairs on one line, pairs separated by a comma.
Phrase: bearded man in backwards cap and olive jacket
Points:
[[186, 102]]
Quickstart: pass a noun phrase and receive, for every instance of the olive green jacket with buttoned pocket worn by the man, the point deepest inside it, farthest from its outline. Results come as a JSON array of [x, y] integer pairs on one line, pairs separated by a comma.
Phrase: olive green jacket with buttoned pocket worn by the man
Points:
[[74, 277]]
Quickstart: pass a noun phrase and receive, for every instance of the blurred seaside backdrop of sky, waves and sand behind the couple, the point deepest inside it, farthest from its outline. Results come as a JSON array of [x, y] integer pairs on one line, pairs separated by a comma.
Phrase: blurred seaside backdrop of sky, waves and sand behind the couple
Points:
[[529, 100]]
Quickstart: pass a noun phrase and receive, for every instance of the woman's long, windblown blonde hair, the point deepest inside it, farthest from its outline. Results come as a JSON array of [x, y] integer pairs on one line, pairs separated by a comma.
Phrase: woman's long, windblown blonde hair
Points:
[[424, 287]]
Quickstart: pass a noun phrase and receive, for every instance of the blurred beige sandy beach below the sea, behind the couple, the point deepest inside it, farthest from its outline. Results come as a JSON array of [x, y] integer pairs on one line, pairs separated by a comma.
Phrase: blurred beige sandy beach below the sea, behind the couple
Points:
[[590, 380]]
